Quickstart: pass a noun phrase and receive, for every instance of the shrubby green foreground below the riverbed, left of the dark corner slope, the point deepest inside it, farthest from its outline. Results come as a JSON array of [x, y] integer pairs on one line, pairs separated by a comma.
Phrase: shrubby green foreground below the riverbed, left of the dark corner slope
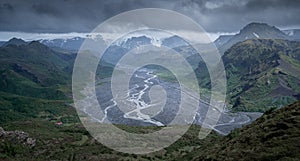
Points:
[[73, 142]]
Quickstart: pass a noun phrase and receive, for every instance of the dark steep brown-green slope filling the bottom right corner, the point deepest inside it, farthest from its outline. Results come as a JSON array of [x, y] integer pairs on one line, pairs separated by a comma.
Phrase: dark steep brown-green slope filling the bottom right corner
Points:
[[274, 136]]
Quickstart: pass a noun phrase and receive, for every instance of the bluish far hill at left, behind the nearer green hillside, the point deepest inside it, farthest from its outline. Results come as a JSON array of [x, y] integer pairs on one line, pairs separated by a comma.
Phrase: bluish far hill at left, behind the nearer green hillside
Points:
[[35, 62]]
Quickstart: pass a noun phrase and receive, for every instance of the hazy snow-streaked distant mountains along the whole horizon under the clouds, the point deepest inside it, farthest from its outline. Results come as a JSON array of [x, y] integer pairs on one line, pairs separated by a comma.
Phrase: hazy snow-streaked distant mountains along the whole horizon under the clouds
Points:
[[224, 42]]
